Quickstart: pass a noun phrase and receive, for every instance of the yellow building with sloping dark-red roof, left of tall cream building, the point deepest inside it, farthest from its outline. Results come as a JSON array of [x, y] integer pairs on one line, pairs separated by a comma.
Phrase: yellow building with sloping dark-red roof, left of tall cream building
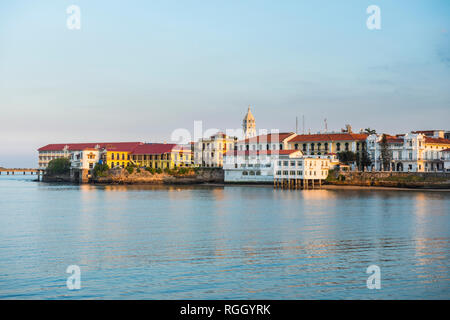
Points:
[[161, 155]]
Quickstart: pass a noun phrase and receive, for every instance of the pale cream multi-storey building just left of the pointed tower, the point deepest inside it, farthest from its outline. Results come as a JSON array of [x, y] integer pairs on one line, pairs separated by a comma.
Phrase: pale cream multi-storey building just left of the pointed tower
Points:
[[211, 152]]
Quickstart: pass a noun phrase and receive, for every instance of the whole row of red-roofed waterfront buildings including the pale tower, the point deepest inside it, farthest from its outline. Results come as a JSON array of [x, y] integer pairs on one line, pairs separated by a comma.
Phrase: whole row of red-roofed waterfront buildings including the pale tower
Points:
[[284, 159]]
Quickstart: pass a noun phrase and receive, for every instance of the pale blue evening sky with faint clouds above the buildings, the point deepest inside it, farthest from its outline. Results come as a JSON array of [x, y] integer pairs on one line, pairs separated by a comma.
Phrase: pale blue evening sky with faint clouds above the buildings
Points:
[[138, 70]]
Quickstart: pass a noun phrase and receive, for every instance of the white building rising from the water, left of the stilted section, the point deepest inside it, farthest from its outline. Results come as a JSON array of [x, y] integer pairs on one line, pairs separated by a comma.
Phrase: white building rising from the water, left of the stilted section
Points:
[[254, 166]]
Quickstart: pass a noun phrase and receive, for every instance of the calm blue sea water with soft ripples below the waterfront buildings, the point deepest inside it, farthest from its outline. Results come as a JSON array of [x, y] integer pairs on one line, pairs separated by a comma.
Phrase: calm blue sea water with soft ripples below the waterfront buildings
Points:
[[234, 242]]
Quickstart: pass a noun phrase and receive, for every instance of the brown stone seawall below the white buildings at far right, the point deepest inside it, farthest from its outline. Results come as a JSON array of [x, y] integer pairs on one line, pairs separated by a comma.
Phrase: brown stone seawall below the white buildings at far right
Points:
[[429, 180]]
